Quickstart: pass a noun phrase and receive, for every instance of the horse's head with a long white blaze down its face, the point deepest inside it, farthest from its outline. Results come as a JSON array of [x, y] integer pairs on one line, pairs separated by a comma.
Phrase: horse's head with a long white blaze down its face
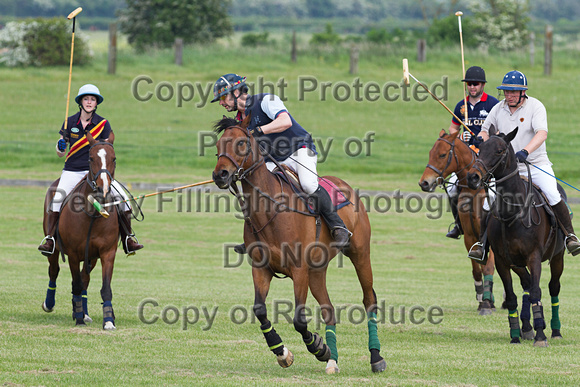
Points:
[[102, 163]]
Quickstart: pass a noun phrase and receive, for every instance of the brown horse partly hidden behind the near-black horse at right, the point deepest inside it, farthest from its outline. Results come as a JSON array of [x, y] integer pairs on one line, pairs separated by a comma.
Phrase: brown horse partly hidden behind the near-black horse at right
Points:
[[448, 155]]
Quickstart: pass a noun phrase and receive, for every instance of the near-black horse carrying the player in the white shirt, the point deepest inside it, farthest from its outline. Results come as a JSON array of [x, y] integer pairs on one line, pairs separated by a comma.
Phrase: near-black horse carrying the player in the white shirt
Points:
[[522, 234]]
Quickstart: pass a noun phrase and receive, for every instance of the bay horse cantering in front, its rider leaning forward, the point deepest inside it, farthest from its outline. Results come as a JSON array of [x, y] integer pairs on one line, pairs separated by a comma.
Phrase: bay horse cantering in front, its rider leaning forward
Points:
[[283, 238]]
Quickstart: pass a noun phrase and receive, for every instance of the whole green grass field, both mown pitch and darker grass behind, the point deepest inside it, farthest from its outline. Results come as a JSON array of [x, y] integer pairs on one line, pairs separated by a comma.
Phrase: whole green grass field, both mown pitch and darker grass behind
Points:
[[182, 265]]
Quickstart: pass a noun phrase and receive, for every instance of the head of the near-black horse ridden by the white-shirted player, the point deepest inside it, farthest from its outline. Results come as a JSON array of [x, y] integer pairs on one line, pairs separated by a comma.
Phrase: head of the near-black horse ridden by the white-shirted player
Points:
[[496, 159]]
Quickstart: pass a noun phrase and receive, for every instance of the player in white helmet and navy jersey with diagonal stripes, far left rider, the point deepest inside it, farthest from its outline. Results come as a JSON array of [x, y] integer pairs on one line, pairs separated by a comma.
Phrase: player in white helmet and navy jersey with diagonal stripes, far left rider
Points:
[[76, 164]]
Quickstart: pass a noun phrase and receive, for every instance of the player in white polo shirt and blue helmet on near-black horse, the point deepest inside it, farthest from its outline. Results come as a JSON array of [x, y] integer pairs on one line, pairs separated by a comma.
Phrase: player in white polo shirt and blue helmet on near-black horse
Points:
[[529, 115]]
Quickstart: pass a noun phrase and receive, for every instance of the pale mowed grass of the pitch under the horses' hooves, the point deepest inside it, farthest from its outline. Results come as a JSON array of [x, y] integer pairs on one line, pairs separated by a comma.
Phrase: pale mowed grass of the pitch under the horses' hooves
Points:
[[183, 266]]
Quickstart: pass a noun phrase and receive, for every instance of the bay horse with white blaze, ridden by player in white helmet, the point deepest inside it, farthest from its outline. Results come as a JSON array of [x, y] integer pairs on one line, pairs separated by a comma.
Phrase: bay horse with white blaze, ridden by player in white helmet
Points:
[[84, 235]]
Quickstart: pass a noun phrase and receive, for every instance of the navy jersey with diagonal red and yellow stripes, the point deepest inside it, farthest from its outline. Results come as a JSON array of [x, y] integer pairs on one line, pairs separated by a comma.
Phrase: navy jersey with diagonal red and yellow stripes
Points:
[[77, 158]]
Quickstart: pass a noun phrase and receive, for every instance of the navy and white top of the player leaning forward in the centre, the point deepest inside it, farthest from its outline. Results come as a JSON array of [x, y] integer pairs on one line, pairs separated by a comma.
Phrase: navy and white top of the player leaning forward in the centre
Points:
[[265, 108]]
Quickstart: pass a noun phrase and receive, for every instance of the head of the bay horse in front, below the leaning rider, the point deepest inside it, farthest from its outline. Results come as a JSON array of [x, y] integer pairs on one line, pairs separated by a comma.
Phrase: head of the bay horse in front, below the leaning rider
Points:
[[237, 151]]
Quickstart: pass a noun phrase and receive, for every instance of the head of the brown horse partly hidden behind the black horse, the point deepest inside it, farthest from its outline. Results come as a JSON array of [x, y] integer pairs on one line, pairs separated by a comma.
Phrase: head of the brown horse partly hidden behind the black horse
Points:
[[442, 161]]
